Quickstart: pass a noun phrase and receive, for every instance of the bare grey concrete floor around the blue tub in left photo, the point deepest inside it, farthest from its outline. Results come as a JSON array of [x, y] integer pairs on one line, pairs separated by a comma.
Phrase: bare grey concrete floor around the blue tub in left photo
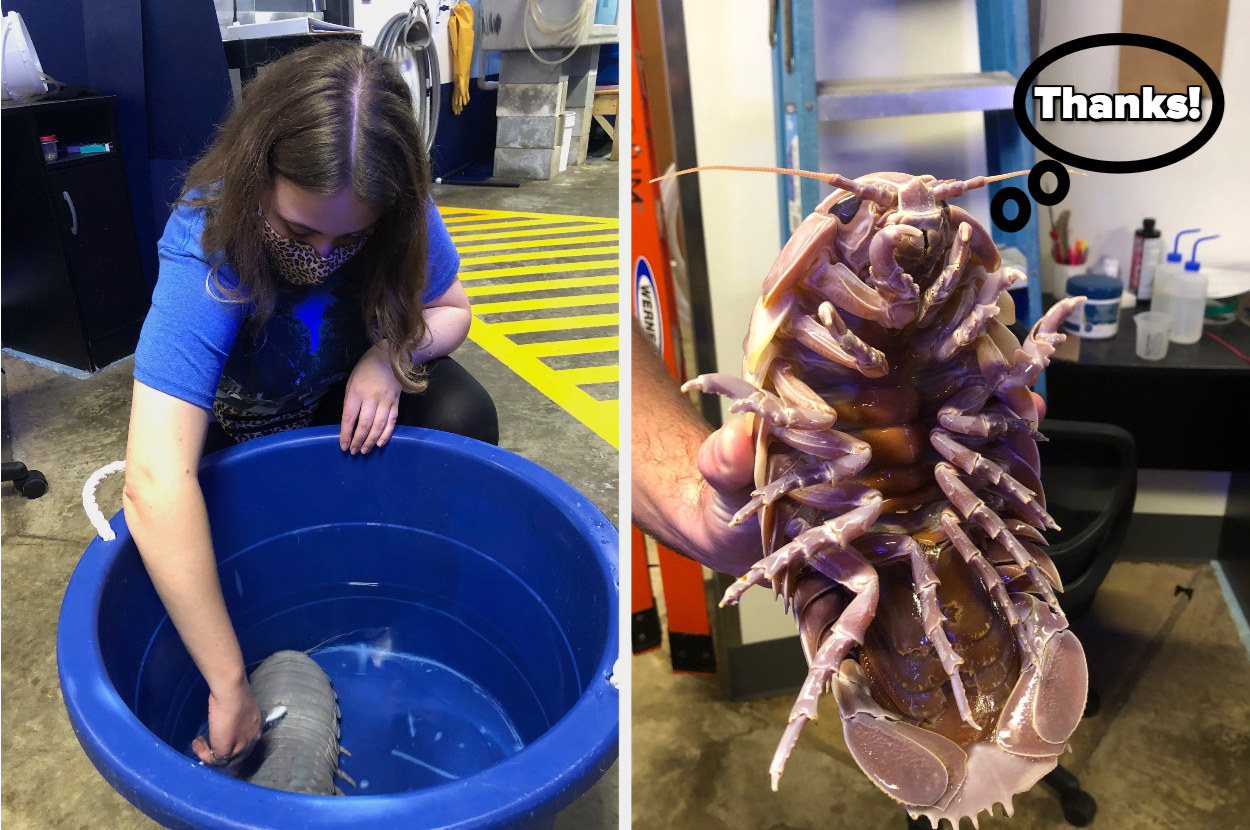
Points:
[[69, 428]]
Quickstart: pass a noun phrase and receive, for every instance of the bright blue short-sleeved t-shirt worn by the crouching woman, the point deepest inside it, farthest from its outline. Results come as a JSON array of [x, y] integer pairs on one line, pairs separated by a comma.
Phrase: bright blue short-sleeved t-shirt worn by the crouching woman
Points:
[[196, 348]]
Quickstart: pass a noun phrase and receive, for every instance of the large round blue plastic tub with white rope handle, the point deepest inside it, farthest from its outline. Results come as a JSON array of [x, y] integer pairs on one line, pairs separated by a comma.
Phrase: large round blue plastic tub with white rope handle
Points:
[[462, 599]]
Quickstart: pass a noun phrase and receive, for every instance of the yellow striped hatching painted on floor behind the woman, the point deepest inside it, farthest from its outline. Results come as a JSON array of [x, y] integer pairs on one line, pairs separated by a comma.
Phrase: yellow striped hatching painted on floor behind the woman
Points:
[[567, 283]]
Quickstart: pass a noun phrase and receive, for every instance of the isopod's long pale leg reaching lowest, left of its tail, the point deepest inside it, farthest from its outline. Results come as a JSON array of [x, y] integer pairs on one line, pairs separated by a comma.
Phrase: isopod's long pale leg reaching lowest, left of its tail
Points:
[[848, 568]]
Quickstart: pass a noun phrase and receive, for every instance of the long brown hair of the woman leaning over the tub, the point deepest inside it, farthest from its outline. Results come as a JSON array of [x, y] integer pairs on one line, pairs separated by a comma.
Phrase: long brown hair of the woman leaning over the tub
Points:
[[326, 118]]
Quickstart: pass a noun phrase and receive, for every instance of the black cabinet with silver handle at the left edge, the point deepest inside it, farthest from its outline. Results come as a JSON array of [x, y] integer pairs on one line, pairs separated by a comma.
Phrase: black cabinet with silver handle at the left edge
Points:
[[72, 283]]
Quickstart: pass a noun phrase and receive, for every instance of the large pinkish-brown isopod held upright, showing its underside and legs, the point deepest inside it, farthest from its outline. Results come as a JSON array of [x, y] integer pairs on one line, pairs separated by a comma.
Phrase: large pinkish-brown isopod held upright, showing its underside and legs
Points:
[[901, 501]]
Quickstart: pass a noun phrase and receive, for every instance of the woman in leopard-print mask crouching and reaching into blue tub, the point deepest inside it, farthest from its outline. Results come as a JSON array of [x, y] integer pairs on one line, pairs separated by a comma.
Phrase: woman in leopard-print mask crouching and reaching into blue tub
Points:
[[306, 279]]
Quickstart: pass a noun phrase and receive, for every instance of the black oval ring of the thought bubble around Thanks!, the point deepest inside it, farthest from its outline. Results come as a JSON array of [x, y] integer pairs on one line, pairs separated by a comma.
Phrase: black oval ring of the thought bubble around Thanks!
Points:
[[1021, 103]]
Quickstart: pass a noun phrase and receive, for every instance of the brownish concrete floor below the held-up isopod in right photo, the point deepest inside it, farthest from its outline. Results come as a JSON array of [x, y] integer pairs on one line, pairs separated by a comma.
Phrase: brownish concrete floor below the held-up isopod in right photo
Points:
[[1169, 749]]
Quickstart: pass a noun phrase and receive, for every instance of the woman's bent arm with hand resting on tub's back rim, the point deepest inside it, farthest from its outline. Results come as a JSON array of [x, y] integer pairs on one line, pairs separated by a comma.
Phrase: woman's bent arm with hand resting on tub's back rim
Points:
[[371, 408]]
